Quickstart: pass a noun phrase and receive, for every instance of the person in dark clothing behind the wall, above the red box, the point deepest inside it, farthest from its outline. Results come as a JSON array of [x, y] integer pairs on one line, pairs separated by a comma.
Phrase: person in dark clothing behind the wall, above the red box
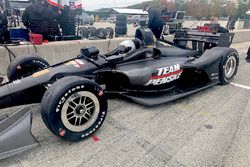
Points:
[[38, 17]]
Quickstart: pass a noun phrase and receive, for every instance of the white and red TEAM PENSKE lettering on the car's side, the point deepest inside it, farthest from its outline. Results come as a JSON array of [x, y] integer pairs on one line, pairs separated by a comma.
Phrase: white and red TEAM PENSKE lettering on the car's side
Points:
[[165, 75]]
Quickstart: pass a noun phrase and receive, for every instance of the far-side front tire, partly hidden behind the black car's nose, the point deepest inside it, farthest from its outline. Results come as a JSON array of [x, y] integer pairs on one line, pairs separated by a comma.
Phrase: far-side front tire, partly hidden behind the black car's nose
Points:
[[25, 65]]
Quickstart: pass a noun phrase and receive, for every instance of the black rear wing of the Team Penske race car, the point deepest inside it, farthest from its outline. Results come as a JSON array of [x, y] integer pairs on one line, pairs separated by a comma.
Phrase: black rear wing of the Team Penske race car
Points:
[[204, 38]]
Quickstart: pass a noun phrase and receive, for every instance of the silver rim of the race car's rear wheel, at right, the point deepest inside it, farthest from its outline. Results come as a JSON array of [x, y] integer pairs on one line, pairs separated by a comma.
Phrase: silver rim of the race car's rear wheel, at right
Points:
[[230, 67]]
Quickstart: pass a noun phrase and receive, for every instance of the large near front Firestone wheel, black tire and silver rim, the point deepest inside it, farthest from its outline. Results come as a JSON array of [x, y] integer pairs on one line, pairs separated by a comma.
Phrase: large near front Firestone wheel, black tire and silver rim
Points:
[[73, 108]]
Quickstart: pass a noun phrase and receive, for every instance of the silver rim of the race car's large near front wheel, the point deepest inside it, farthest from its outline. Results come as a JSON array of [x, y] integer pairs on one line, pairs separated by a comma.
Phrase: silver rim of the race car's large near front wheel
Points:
[[80, 111]]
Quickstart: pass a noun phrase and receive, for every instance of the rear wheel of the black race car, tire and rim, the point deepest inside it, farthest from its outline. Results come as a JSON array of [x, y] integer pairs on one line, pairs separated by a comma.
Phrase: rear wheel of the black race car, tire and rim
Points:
[[229, 66]]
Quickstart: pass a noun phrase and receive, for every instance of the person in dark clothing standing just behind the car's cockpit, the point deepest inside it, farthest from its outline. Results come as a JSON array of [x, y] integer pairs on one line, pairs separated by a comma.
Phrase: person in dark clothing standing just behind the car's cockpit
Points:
[[155, 22]]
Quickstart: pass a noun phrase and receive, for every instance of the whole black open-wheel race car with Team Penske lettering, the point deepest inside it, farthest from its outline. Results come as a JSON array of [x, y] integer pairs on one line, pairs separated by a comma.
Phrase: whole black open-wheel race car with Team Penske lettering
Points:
[[73, 94]]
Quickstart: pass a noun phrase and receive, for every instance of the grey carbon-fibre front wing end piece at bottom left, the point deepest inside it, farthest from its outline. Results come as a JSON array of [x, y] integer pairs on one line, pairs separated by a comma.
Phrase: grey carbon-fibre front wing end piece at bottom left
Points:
[[15, 133]]
